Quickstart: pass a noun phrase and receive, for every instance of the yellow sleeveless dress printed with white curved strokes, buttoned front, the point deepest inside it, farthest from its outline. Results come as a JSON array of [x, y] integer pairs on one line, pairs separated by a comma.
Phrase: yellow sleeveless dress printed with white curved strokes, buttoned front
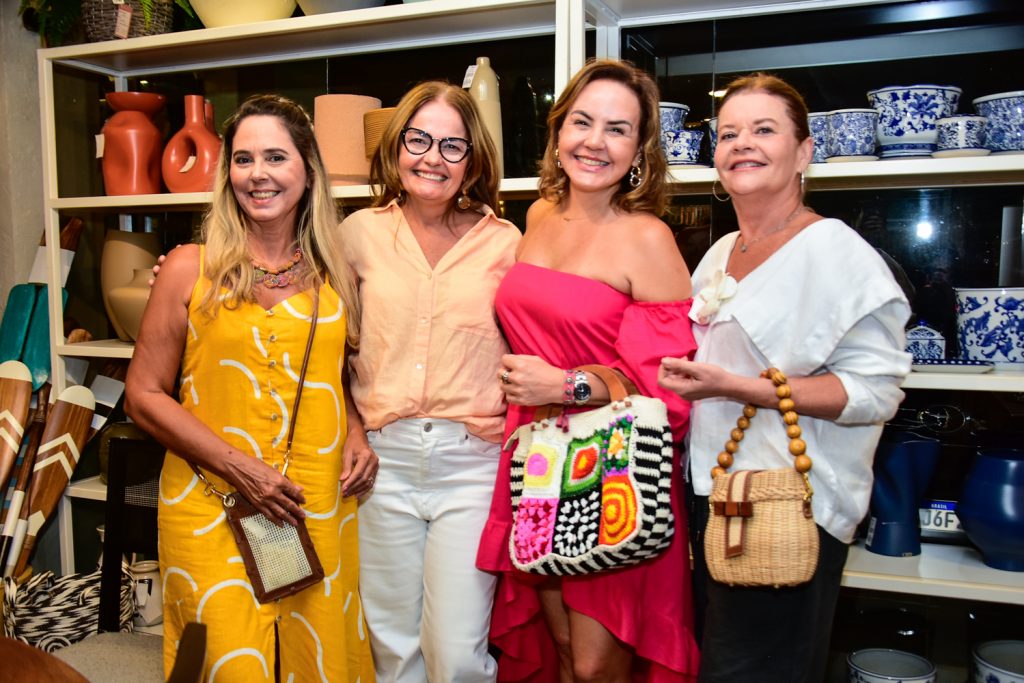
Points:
[[239, 376]]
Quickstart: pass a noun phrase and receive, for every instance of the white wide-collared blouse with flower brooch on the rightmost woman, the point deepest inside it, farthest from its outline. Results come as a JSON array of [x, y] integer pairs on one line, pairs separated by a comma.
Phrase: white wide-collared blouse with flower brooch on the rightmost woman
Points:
[[825, 303]]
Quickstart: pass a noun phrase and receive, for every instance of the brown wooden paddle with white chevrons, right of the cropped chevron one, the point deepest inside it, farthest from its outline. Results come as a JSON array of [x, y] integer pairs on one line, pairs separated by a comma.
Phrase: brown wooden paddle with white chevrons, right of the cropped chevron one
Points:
[[56, 461]]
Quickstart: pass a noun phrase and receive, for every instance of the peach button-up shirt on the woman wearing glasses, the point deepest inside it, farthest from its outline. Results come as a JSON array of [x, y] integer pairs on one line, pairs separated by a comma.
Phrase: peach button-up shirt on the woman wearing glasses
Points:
[[430, 341]]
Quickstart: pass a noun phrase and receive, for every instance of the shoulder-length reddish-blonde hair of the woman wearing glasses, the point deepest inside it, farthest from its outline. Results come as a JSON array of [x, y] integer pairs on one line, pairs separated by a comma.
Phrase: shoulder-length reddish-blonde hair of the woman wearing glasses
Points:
[[482, 181]]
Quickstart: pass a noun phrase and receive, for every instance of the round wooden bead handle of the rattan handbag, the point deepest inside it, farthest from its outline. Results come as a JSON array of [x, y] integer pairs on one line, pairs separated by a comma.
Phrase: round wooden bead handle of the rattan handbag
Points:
[[798, 448]]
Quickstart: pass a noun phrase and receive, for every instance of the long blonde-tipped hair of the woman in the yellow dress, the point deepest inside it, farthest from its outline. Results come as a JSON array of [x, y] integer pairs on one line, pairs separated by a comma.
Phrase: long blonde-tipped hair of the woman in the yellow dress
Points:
[[226, 228]]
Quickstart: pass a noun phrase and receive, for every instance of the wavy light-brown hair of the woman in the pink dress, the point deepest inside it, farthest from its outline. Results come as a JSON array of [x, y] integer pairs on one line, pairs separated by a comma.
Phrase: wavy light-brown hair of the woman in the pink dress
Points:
[[651, 195]]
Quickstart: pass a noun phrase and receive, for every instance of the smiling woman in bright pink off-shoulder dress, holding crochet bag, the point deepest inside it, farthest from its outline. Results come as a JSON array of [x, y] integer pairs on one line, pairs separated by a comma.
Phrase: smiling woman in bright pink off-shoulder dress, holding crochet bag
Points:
[[599, 280]]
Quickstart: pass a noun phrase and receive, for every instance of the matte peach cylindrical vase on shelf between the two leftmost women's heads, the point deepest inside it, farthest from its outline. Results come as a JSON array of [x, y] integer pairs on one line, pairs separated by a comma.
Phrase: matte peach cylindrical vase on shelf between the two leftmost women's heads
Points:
[[338, 127]]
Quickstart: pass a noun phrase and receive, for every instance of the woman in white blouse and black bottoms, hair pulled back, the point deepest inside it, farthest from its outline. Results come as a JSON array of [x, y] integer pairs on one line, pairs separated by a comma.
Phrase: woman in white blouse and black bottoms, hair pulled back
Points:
[[807, 295]]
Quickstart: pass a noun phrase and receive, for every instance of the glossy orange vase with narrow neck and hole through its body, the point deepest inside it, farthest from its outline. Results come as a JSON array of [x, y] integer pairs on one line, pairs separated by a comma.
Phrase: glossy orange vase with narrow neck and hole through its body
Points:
[[191, 155]]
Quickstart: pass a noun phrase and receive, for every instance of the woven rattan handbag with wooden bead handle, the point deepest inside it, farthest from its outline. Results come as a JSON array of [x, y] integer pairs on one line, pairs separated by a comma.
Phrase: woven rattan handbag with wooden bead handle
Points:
[[761, 531]]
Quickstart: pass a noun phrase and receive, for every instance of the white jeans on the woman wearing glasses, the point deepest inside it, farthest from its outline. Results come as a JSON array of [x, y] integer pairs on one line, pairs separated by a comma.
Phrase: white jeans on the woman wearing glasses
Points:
[[428, 606]]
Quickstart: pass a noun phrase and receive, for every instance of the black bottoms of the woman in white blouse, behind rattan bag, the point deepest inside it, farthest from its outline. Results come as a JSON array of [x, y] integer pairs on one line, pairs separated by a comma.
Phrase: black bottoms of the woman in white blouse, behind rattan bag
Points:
[[764, 635]]
